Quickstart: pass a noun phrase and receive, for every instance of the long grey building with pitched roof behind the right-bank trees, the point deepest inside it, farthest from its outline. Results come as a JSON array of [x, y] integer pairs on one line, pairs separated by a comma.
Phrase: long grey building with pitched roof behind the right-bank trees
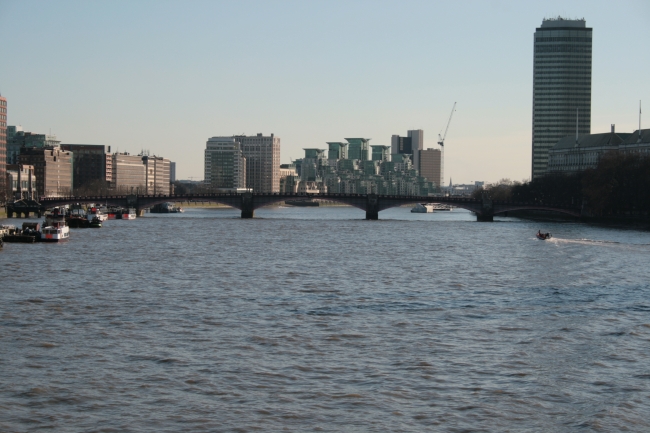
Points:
[[572, 155]]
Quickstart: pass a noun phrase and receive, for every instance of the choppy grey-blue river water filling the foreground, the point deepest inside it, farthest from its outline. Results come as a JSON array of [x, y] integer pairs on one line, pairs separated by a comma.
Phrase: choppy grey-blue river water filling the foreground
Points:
[[312, 319]]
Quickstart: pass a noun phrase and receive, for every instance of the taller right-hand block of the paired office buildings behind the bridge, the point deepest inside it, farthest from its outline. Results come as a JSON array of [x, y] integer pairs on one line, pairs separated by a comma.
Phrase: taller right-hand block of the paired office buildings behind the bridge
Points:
[[262, 155]]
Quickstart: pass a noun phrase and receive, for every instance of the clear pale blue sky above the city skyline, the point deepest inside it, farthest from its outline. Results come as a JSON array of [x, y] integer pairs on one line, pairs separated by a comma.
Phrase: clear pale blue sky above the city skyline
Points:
[[165, 75]]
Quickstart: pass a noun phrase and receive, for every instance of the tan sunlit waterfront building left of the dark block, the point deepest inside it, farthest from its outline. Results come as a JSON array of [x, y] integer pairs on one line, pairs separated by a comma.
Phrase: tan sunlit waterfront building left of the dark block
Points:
[[52, 168]]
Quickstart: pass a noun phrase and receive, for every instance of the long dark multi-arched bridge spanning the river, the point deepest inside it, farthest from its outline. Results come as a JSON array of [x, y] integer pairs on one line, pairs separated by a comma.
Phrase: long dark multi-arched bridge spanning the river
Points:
[[372, 204]]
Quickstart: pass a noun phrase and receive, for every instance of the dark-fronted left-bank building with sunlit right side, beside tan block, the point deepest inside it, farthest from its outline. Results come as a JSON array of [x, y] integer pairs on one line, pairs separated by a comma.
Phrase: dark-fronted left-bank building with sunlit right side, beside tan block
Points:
[[92, 168]]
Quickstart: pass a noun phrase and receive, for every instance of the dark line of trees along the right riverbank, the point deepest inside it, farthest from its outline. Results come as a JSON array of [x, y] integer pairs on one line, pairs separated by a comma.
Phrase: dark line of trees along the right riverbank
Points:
[[619, 185]]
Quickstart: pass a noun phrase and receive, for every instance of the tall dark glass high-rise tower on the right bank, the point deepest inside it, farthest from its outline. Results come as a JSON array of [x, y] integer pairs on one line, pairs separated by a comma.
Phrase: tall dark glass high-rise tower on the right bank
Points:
[[561, 85]]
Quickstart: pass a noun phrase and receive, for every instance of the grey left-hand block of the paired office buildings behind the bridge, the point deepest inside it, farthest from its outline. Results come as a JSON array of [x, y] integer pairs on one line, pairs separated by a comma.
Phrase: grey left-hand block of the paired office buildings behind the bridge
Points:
[[224, 163]]
